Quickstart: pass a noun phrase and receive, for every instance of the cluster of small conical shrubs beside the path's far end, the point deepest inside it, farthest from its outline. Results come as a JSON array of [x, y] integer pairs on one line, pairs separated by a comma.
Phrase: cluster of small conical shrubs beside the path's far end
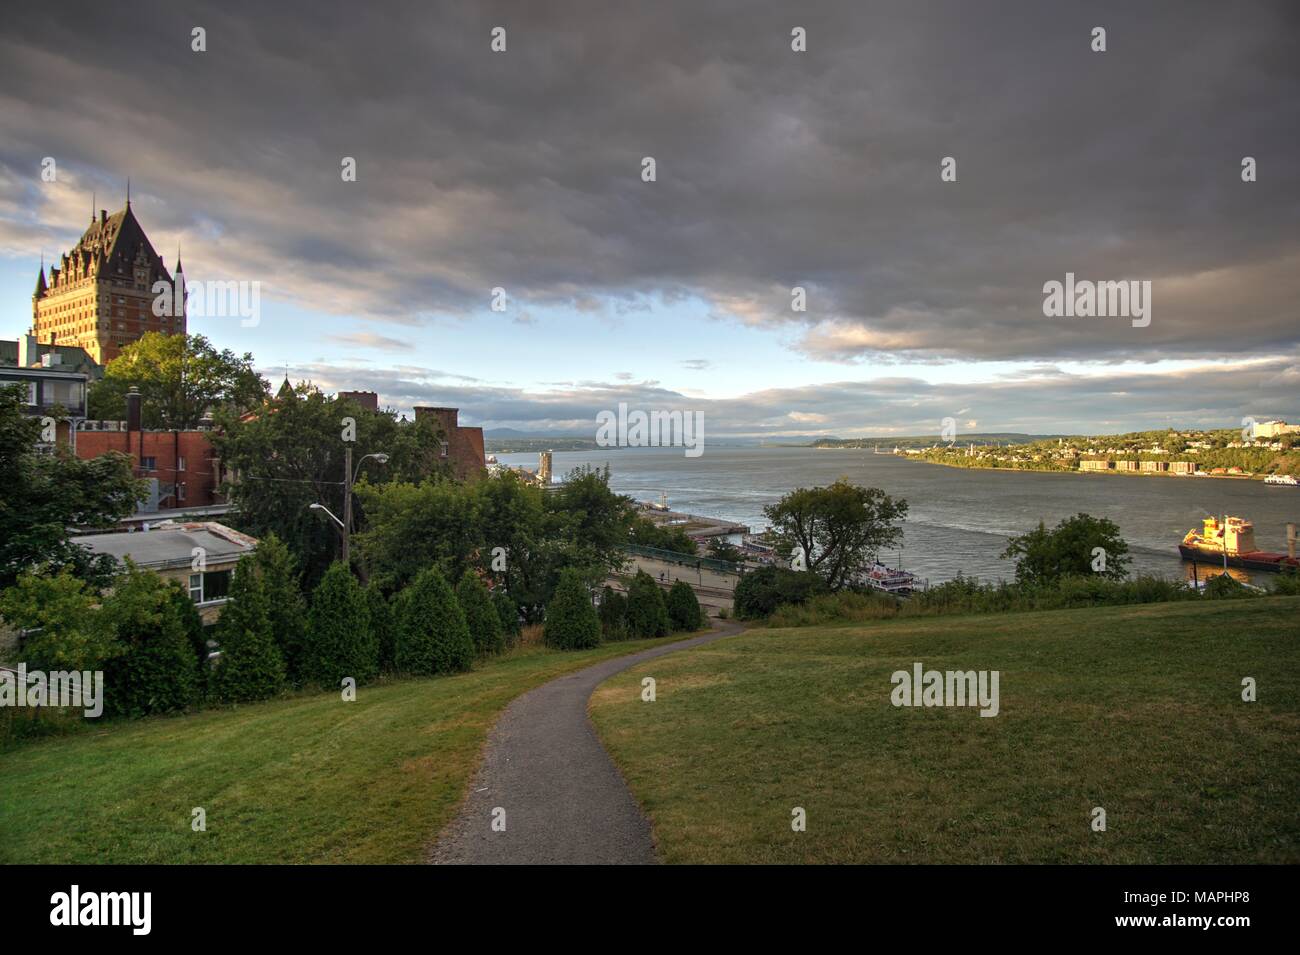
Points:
[[573, 623]]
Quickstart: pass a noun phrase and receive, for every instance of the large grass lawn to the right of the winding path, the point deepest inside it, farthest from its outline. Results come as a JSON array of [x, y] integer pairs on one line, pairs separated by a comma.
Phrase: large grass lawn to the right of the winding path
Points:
[[1137, 710]]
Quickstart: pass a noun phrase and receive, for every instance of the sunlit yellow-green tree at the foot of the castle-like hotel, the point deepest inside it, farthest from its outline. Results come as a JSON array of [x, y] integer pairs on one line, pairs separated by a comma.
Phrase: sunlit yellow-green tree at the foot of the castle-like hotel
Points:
[[180, 379]]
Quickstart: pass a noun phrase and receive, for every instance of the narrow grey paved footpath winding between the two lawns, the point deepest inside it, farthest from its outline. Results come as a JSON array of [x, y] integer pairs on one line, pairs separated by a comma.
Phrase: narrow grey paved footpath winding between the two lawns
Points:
[[565, 802]]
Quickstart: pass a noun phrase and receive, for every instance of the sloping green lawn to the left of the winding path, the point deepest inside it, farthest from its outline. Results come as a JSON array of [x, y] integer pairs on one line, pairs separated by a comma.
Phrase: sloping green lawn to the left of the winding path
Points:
[[302, 780]]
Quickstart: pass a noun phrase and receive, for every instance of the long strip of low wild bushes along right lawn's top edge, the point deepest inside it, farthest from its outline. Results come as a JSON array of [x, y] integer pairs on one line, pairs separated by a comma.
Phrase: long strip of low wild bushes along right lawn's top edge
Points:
[[790, 598]]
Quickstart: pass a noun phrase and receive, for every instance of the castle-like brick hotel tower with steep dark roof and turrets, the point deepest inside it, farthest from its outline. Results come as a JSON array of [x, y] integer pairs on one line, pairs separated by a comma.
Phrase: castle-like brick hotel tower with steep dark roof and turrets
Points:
[[101, 296]]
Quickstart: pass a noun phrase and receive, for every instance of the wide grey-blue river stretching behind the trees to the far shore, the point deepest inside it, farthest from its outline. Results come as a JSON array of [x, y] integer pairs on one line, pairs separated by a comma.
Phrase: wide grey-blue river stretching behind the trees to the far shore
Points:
[[959, 519]]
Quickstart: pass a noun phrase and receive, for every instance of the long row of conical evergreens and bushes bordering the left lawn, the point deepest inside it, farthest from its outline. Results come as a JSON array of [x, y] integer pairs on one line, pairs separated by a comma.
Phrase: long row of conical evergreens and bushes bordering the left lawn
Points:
[[148, 637]]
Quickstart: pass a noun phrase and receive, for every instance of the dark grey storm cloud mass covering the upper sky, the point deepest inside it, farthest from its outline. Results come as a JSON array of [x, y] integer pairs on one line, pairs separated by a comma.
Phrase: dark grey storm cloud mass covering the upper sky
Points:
[[774, 168]]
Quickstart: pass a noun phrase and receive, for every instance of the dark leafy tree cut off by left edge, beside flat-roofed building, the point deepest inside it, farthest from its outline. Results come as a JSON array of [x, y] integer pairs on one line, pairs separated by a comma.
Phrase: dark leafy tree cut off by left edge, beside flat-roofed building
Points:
[[42, 496]]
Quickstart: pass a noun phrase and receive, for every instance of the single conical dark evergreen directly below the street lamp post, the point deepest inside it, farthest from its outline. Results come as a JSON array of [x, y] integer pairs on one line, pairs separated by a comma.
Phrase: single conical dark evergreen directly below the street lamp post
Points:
[[340, 641]]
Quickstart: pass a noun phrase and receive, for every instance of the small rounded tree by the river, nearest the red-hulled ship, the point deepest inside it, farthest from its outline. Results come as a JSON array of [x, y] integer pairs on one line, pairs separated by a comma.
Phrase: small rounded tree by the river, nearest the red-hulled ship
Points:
[[1045, 557]]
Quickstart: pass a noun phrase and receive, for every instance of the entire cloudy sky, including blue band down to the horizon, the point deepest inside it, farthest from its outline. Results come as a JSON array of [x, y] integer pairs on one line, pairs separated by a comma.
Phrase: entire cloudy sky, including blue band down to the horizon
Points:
[[822, 170]]
